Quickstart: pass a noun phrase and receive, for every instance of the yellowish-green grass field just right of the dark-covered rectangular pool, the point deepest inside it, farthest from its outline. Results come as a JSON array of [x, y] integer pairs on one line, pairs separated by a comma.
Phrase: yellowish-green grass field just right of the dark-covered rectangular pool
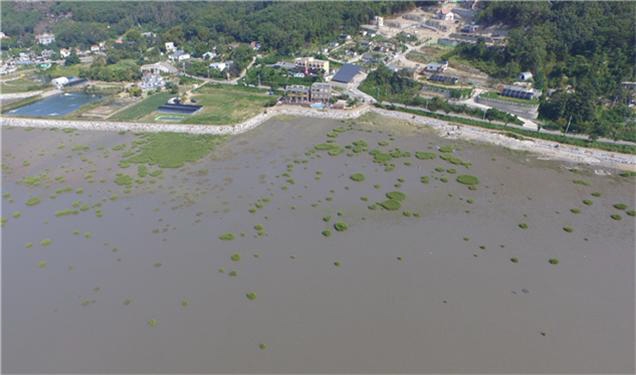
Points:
[[227, 104]]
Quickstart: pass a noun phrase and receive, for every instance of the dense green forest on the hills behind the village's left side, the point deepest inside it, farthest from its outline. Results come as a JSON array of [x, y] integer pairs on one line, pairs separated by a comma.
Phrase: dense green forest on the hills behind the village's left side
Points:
[[197, 26]]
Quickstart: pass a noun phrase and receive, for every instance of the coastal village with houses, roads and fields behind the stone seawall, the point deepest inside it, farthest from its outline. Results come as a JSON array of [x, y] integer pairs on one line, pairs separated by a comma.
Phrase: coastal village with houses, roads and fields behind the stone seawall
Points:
[[416, 45]]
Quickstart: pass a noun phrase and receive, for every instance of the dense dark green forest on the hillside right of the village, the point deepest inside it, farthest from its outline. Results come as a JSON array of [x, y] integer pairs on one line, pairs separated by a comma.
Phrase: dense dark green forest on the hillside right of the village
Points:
[[583, 50]]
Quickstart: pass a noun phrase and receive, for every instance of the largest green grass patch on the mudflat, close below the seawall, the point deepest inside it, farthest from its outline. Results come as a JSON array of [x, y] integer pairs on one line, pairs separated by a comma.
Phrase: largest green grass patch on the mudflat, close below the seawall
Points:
[[173, 150]]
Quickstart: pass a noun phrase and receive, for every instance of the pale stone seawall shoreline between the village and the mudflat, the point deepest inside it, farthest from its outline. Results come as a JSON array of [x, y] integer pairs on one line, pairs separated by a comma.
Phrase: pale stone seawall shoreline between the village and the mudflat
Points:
[[544, 148]]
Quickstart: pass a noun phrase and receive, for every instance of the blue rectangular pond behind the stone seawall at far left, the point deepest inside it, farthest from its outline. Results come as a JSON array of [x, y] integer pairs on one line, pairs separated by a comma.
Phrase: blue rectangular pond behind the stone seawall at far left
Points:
[[56, 105]]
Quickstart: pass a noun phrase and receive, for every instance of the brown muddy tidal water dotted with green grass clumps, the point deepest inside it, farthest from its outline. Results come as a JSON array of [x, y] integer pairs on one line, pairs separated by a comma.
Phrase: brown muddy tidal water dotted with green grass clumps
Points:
[[148, 286]]
